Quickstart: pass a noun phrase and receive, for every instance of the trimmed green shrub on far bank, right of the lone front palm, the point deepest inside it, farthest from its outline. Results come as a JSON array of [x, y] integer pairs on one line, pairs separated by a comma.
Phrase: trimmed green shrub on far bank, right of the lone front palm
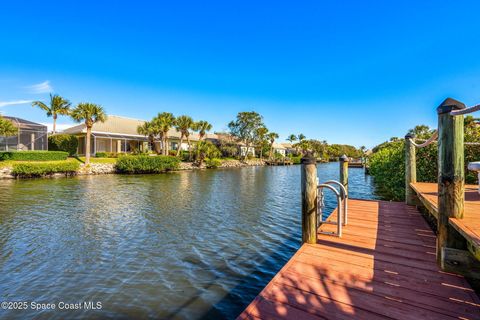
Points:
[[147, 164]]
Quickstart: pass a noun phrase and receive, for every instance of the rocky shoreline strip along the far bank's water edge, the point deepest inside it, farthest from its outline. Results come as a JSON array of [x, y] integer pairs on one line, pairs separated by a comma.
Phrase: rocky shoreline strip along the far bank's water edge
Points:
[[109, 168]]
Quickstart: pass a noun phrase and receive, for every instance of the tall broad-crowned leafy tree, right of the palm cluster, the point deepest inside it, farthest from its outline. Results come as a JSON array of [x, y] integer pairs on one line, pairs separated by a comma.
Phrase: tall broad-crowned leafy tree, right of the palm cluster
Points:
[[244, 128]]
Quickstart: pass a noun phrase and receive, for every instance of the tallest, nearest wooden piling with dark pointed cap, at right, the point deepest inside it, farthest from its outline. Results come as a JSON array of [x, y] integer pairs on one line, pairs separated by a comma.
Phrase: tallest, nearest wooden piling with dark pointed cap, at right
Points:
[[451, 175]]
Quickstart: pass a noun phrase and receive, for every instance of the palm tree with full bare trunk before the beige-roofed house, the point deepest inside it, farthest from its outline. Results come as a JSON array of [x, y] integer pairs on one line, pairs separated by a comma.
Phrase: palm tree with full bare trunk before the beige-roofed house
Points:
[[90, 113]]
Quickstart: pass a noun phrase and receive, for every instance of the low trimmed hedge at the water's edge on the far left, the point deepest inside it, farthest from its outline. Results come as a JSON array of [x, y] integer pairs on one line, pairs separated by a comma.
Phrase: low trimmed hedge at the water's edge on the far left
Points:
[[31, 170]]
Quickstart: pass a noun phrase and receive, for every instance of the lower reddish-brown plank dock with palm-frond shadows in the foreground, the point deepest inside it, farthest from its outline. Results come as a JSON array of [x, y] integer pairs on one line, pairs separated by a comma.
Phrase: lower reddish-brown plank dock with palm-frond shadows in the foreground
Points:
[[383, 267]]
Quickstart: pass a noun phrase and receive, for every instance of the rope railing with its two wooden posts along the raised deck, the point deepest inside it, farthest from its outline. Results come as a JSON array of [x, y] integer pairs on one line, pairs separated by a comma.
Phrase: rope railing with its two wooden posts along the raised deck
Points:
[[451, 250]]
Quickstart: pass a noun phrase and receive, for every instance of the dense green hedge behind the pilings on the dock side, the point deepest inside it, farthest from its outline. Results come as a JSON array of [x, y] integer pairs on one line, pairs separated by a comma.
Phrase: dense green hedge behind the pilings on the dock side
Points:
[[387, 166]]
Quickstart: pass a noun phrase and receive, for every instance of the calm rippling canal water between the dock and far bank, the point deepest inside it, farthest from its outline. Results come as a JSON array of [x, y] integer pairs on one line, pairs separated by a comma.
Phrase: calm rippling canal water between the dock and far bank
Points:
[[185, 245]]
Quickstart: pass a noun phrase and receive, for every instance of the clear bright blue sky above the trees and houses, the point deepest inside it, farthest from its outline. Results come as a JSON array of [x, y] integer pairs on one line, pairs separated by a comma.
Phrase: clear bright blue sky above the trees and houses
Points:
[[348, 72]]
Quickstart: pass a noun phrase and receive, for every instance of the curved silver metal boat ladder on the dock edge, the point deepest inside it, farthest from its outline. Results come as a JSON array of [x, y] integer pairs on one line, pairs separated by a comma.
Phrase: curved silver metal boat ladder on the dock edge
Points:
[[342, 201]]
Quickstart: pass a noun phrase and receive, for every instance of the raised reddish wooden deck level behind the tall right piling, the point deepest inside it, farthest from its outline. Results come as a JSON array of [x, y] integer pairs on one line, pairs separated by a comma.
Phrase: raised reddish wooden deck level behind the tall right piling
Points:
[[469, 226]]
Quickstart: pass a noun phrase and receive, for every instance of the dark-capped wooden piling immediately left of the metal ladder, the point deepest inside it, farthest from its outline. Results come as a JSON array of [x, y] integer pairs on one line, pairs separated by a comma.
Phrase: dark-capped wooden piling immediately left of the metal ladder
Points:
[[309, 199]]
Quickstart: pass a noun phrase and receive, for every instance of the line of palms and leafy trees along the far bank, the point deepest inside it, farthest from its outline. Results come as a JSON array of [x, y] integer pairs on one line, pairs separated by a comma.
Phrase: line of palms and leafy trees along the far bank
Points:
[[248, 129]]
